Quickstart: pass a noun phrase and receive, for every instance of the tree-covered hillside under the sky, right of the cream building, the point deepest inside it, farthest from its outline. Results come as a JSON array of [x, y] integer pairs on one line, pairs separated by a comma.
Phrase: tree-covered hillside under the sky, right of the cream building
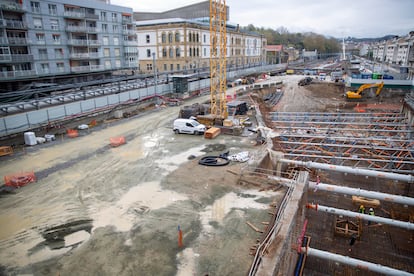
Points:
[[309, 41]]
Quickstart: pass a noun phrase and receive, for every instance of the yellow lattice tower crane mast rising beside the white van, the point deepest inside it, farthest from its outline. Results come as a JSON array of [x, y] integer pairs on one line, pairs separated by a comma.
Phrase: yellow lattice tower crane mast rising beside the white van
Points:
[[218, 53]]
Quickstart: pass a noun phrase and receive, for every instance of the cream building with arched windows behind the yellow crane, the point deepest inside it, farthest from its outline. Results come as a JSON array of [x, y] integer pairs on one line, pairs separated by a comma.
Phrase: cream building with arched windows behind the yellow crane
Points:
[[176, 44]]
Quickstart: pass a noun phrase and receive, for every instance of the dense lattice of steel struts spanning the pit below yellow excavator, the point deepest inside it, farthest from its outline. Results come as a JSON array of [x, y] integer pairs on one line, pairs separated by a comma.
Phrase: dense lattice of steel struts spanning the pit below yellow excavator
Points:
[[380, 141]]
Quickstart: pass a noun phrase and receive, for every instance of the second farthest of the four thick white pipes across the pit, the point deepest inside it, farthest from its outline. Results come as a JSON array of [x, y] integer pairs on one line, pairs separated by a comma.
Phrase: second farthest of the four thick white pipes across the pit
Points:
[[364, 193]]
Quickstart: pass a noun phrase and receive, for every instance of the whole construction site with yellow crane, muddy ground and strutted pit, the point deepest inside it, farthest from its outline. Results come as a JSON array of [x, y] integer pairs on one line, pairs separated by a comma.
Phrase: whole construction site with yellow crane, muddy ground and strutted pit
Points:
[[290, 177]]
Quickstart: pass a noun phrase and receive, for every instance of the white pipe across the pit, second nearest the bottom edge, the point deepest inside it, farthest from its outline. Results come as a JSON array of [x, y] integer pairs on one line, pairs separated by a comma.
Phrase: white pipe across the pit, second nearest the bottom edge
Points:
[[397, 223]]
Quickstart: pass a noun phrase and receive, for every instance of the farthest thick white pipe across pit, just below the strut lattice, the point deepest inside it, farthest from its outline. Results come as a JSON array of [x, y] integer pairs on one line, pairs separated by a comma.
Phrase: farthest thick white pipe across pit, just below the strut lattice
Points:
[[309, 164]]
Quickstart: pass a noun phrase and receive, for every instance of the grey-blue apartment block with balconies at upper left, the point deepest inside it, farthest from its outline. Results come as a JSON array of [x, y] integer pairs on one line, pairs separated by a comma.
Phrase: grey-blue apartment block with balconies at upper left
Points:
[[64, 39]]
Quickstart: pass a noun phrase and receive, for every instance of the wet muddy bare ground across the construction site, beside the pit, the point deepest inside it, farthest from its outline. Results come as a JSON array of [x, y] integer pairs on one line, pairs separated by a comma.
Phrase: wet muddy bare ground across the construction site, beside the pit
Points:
[[97, 210]]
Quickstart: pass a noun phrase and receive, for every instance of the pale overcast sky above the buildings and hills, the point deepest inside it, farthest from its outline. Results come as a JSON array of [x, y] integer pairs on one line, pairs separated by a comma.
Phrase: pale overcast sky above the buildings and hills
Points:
[[338, 18]]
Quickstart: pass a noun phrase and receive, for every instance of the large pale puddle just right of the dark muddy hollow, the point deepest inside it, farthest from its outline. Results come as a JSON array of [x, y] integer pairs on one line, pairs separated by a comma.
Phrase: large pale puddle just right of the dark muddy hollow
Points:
[[138, 201]]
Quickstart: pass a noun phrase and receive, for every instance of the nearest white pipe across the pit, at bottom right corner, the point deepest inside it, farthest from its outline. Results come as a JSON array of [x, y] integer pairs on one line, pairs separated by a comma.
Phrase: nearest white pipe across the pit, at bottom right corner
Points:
[[354, 262]]
